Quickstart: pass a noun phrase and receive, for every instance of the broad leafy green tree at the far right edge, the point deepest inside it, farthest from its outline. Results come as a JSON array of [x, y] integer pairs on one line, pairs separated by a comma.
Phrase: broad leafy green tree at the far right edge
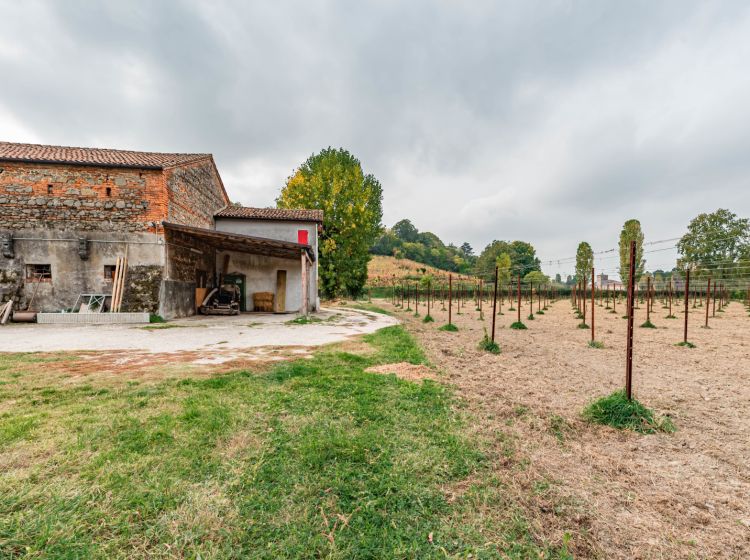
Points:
[[714, 244]]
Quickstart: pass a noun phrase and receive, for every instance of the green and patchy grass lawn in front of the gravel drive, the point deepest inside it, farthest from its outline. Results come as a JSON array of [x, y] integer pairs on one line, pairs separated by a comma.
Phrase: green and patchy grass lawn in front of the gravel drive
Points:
[[312, 459]]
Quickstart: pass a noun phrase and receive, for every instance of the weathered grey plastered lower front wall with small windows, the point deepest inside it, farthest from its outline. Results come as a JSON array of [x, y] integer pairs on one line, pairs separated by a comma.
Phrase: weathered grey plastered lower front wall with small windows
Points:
[[72, 275]]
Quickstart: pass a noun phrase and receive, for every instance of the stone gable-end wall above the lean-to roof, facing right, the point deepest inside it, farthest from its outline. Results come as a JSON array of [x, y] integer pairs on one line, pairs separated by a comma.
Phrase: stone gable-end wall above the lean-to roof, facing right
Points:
[[195, 194]]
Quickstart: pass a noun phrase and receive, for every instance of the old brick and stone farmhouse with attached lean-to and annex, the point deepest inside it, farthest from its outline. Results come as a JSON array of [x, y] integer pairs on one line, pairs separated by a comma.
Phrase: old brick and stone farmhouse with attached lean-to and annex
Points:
[[67, 214]]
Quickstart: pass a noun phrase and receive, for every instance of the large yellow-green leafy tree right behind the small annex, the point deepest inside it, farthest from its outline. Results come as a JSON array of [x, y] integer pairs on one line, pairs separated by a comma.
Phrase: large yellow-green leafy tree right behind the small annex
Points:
[[352, 204]]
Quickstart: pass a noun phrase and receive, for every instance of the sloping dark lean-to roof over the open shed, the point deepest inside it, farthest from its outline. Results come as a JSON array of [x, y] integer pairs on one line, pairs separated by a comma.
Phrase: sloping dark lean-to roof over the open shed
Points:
[[226, 241]]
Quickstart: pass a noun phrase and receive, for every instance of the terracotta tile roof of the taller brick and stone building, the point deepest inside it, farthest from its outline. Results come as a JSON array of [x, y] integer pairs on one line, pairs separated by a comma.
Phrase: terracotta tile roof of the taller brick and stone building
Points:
[[94, 156]]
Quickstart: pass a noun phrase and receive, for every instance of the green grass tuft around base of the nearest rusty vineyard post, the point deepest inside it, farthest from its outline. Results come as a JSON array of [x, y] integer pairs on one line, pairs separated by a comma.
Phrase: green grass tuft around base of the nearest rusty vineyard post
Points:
[[617, 411]]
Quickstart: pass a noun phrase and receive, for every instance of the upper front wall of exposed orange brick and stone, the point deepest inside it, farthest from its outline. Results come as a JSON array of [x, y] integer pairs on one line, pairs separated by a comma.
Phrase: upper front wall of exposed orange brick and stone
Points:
[[76, 197]]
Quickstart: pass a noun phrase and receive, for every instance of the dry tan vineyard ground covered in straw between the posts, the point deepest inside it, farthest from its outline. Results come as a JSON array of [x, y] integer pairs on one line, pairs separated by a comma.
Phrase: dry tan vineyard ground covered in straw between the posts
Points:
[[617, 494]]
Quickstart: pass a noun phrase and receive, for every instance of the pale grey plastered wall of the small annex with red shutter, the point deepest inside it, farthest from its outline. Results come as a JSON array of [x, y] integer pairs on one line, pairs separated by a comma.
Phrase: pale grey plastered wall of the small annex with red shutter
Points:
[[283, 231]]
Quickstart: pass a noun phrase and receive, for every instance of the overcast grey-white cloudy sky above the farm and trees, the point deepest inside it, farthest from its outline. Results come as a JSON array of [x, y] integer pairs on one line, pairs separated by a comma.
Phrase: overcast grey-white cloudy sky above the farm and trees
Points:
[[551, 122]]
